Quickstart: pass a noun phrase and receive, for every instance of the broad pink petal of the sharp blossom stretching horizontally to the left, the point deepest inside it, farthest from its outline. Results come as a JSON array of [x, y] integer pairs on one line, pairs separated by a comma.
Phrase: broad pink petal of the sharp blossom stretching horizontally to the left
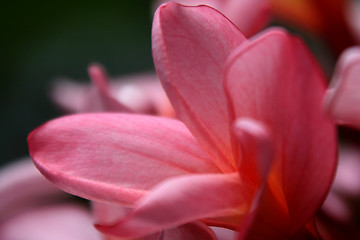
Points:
[[115, 157]]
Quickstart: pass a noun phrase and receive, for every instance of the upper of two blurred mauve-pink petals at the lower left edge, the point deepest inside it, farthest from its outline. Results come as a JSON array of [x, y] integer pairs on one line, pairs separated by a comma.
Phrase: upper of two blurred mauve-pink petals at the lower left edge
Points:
[[22, 187]]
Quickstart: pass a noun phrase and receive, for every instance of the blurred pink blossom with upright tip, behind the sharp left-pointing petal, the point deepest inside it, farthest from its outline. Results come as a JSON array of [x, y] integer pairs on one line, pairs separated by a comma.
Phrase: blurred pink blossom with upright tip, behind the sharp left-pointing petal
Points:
[[137, 93]]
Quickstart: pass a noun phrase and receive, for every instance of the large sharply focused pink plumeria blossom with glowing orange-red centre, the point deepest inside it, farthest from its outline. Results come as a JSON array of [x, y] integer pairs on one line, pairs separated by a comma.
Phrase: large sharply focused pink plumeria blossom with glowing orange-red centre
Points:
[[252, 152]]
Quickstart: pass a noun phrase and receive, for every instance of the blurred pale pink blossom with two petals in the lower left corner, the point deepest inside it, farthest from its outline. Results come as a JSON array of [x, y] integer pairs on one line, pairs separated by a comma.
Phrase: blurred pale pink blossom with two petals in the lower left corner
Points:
[[33, 209]]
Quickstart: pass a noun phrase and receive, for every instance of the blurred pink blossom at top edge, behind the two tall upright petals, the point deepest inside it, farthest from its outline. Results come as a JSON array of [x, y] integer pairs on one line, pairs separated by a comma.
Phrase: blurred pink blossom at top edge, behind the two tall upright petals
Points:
[[250, 16]]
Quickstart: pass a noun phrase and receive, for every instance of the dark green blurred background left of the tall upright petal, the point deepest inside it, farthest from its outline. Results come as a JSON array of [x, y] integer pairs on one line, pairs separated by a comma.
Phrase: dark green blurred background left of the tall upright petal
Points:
[[44, 40]]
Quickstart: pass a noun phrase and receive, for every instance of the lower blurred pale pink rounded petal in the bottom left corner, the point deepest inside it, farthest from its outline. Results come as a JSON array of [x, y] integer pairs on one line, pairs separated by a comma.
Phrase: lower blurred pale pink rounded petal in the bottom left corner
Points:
[[57, 222]]
